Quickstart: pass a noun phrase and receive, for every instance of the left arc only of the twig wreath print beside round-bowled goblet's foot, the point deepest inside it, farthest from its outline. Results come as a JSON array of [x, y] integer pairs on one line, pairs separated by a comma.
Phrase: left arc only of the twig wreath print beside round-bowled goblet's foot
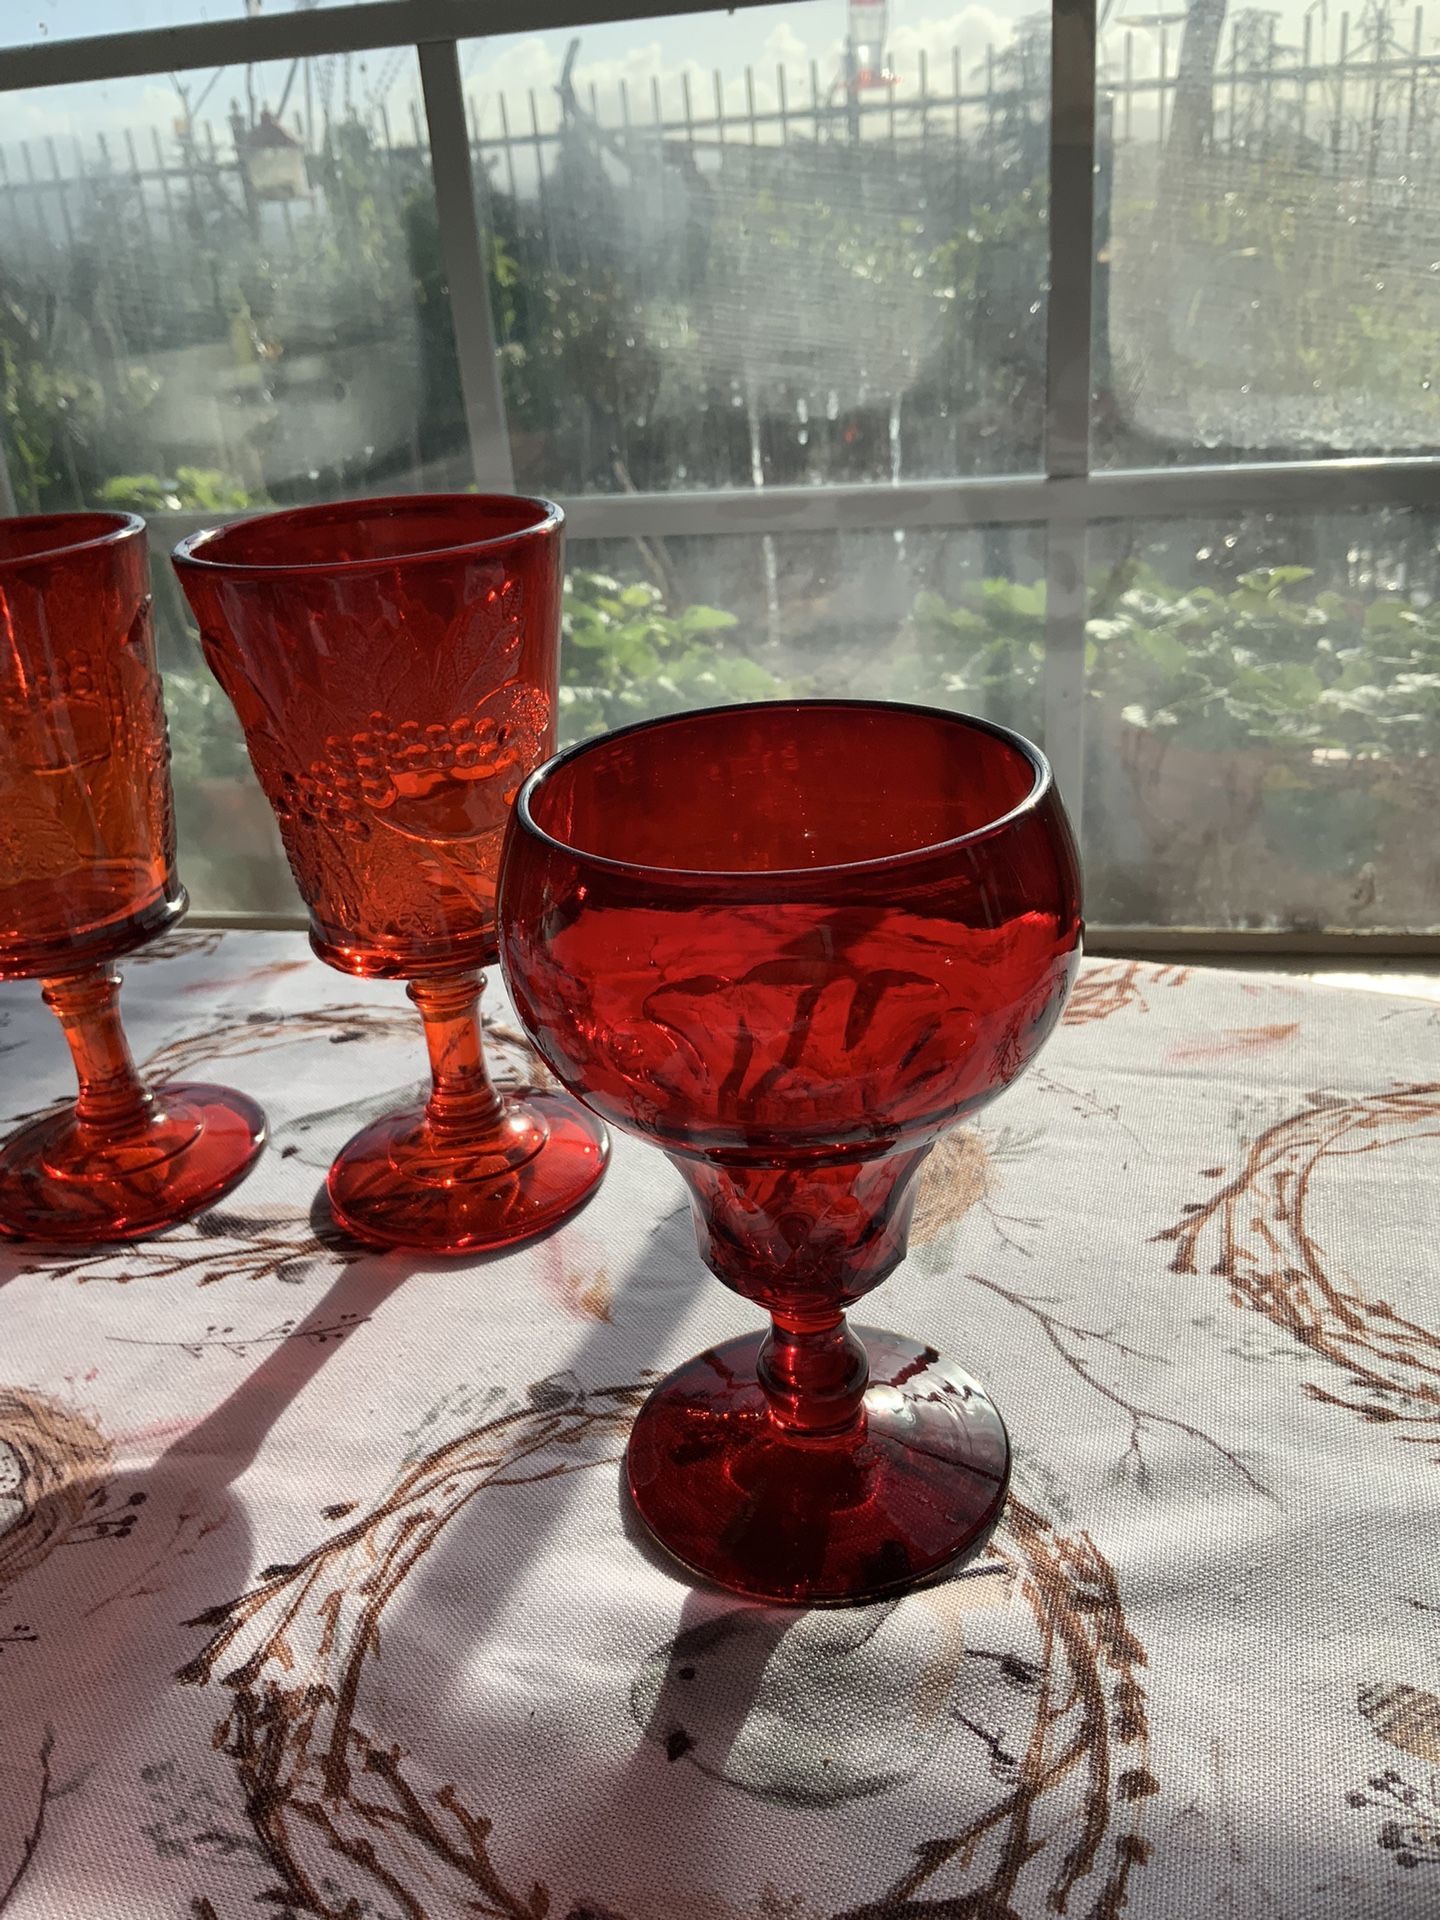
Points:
[[325, 1796]]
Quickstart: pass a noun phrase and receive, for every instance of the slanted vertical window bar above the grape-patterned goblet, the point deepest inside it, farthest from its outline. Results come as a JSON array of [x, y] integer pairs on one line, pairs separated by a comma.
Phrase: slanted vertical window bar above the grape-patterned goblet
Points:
[[464, 256]]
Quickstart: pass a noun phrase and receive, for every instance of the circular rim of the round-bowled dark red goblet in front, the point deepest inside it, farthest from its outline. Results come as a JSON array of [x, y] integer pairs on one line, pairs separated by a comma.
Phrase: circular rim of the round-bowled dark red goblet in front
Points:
[[767, 876]]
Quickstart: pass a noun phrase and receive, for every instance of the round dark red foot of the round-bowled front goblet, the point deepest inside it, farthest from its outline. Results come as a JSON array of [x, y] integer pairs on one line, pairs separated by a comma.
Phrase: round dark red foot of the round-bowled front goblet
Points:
[[821, 1520]]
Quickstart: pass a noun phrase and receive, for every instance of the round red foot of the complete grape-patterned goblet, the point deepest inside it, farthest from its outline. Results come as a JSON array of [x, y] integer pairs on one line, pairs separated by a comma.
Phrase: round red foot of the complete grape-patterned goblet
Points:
[[402, 1184]]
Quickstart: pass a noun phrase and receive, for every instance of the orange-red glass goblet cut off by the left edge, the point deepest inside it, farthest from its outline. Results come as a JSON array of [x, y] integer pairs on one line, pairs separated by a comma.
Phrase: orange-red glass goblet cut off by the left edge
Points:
[[87, 875]]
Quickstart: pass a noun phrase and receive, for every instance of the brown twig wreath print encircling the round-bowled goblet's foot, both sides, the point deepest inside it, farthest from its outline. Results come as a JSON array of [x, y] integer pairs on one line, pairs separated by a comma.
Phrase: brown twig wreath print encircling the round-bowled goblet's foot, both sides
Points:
[[345, 1821]]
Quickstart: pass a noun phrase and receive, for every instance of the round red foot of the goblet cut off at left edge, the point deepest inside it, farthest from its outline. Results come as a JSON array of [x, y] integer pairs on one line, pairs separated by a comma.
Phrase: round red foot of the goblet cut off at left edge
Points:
[[68, 1184]]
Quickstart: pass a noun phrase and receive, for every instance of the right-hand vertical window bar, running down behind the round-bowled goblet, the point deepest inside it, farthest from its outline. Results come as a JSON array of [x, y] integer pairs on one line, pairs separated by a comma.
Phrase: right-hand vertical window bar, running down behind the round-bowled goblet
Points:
[[1068, 385]]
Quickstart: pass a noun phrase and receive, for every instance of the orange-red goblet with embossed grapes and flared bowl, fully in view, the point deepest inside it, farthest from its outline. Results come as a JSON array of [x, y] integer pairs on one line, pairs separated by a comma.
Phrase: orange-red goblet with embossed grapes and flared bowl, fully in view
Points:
[[395, 669]]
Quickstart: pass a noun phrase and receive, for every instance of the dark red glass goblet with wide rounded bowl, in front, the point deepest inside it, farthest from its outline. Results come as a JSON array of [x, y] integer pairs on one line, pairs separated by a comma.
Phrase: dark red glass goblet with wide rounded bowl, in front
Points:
[[790, 946]]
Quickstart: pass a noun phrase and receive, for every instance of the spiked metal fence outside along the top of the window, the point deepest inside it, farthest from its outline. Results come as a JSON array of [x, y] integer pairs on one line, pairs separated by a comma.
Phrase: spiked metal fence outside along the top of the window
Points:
[[1370, 112]]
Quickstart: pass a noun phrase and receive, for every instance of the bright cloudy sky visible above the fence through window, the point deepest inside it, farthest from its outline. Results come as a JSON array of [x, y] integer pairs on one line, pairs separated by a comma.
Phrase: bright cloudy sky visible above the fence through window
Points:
[[788, 36]]
